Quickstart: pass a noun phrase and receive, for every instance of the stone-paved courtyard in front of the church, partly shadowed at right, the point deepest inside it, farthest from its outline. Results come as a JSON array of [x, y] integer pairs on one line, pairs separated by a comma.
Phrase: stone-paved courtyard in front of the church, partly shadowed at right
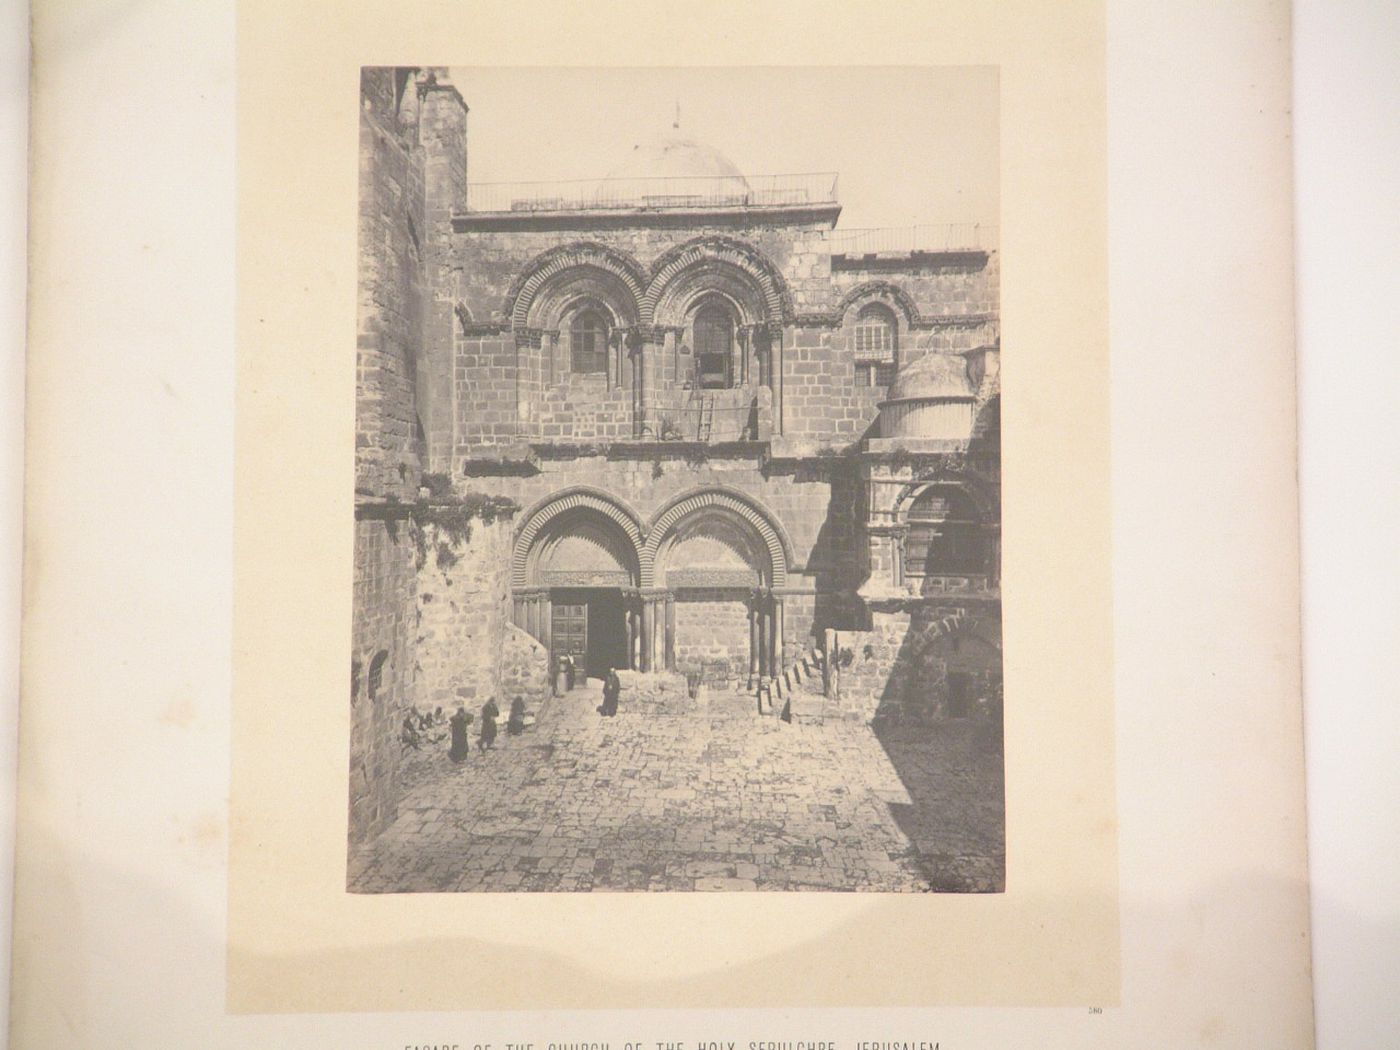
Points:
[[710, 800]]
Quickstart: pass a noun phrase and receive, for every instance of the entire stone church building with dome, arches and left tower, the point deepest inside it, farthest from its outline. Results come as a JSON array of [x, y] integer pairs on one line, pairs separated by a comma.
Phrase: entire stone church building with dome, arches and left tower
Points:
[[675, 422]]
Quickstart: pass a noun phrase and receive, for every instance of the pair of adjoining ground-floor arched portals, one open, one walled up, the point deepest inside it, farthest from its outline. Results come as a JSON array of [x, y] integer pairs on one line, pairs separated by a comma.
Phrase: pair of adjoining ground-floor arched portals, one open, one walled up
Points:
[[696, 590]]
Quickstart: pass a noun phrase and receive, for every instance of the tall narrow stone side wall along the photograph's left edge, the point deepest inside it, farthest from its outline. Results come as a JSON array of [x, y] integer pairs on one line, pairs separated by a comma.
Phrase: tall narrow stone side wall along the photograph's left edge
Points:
[[388, 443]]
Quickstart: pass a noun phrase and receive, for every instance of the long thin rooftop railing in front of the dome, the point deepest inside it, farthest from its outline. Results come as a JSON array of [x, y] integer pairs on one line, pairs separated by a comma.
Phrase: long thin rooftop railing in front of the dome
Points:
[[681, 192]]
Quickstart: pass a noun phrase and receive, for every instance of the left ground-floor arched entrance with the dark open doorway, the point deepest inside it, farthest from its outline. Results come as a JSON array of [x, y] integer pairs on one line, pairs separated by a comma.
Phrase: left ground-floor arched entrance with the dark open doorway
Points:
[[576, 580]]
